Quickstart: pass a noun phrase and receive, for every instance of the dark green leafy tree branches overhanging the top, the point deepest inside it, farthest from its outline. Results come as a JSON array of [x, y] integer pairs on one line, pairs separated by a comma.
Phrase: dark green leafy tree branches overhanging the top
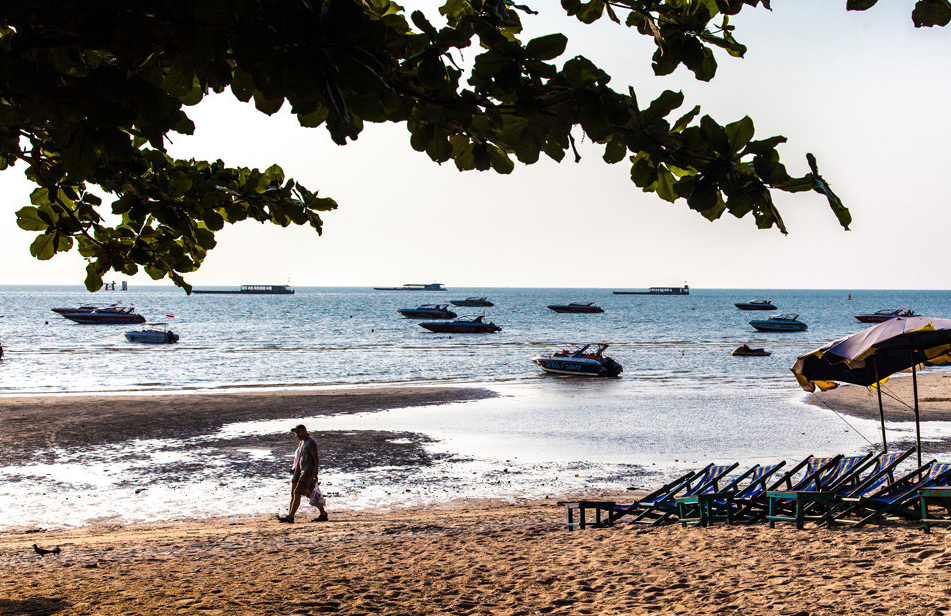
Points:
[[91, 89]]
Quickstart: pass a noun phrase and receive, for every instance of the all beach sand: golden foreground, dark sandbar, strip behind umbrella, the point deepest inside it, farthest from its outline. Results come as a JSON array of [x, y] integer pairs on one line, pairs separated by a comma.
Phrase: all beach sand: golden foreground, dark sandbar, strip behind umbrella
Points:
[[463, 557]]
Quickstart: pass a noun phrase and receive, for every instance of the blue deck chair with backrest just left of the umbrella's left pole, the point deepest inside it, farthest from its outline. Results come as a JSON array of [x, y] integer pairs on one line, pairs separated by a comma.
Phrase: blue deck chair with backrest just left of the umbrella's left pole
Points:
[[816, 498]]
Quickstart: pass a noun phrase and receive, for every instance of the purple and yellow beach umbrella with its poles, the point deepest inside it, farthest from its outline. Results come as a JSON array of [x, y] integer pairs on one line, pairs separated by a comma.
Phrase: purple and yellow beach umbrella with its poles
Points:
[[873, 354]]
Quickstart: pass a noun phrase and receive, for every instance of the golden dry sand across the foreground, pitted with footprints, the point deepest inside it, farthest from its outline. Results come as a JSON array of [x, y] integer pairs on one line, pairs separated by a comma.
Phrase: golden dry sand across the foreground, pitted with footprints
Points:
[[480, 558]]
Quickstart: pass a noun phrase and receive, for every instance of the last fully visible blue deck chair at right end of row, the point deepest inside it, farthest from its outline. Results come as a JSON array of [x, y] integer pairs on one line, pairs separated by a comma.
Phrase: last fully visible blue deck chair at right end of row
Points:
[[899, 498]]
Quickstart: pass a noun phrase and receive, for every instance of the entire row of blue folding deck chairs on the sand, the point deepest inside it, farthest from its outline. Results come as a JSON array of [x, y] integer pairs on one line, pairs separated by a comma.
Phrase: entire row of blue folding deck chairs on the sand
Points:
[[835, 490]]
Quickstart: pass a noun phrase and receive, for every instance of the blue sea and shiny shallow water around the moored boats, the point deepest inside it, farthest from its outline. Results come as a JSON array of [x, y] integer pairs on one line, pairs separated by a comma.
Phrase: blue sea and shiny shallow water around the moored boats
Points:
[[682, 399]]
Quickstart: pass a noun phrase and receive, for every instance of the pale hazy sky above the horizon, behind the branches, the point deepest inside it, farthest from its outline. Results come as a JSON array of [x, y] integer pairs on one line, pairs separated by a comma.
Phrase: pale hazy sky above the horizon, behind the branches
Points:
[[866, 92]]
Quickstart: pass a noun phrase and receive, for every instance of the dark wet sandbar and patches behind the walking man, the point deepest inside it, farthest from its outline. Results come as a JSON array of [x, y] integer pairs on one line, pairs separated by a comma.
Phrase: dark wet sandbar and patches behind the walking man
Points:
[[28, 424]]
